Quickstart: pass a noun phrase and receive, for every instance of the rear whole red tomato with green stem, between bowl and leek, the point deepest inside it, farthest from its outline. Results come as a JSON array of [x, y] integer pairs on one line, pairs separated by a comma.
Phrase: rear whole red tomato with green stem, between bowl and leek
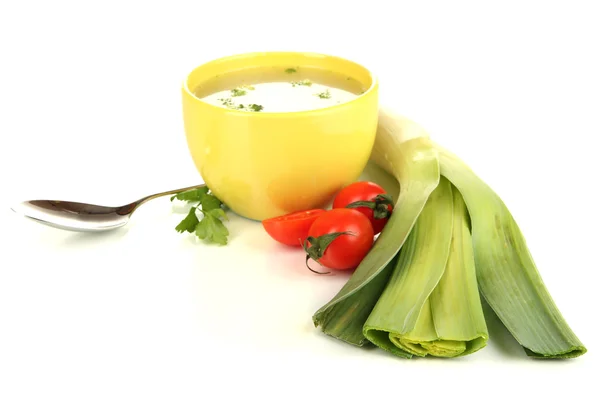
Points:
[[378, 209]]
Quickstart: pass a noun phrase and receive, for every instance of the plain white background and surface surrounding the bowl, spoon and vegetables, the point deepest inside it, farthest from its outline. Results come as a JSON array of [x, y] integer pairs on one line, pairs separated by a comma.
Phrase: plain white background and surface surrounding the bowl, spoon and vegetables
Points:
[[90, 110]]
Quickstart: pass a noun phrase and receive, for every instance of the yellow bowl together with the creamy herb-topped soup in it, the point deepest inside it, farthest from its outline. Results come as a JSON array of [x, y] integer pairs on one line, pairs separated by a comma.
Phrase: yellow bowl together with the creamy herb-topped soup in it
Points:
[[278, 132]]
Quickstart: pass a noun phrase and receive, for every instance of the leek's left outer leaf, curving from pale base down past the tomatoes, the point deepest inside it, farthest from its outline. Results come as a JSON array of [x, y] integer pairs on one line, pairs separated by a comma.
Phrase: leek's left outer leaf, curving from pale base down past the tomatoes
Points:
[[401, 146]]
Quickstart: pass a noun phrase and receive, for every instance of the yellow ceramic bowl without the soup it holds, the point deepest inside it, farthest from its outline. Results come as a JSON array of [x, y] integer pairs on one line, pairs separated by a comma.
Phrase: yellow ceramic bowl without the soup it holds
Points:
[[262, 164]]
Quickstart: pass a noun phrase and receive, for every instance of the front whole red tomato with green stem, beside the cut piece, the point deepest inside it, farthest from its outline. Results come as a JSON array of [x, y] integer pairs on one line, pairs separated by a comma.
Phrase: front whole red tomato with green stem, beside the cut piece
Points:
[[340, 238]]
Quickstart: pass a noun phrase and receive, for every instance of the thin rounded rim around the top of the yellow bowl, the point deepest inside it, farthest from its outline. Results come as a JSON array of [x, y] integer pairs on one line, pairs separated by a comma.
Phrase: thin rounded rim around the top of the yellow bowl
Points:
[[374, 84]]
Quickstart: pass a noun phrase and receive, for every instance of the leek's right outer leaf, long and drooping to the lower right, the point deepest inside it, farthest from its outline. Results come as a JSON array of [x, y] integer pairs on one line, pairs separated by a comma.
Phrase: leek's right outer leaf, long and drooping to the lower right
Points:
[[506, 273]]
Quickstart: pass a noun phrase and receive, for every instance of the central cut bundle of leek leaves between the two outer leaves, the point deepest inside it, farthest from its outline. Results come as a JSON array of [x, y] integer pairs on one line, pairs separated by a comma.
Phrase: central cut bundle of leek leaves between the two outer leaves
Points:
[[431, 304]]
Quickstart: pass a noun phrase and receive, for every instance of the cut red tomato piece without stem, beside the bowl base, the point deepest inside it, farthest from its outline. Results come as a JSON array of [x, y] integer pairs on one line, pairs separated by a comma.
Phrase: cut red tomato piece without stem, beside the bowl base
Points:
[[291, 229]]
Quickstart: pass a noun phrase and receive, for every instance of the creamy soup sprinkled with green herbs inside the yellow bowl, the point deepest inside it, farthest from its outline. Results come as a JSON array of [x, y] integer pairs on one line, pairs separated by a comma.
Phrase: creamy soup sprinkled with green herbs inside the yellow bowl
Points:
[[279, 89]]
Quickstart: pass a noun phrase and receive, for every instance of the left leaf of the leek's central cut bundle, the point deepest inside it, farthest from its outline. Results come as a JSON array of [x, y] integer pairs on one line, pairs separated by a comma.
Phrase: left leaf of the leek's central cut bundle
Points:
[[402, 317]]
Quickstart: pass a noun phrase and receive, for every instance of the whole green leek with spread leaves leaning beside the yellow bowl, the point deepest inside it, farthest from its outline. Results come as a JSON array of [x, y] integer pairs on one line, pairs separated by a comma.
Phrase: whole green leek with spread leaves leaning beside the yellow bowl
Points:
[[434, 309]]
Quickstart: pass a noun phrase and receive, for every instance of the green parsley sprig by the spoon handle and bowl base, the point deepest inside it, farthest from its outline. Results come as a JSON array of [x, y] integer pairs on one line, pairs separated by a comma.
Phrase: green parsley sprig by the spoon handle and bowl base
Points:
[[210, 227]]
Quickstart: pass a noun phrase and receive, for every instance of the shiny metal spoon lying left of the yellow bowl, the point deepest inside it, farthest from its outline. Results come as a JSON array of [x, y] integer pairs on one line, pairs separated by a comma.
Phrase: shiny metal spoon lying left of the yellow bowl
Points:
[[82, 217]]
